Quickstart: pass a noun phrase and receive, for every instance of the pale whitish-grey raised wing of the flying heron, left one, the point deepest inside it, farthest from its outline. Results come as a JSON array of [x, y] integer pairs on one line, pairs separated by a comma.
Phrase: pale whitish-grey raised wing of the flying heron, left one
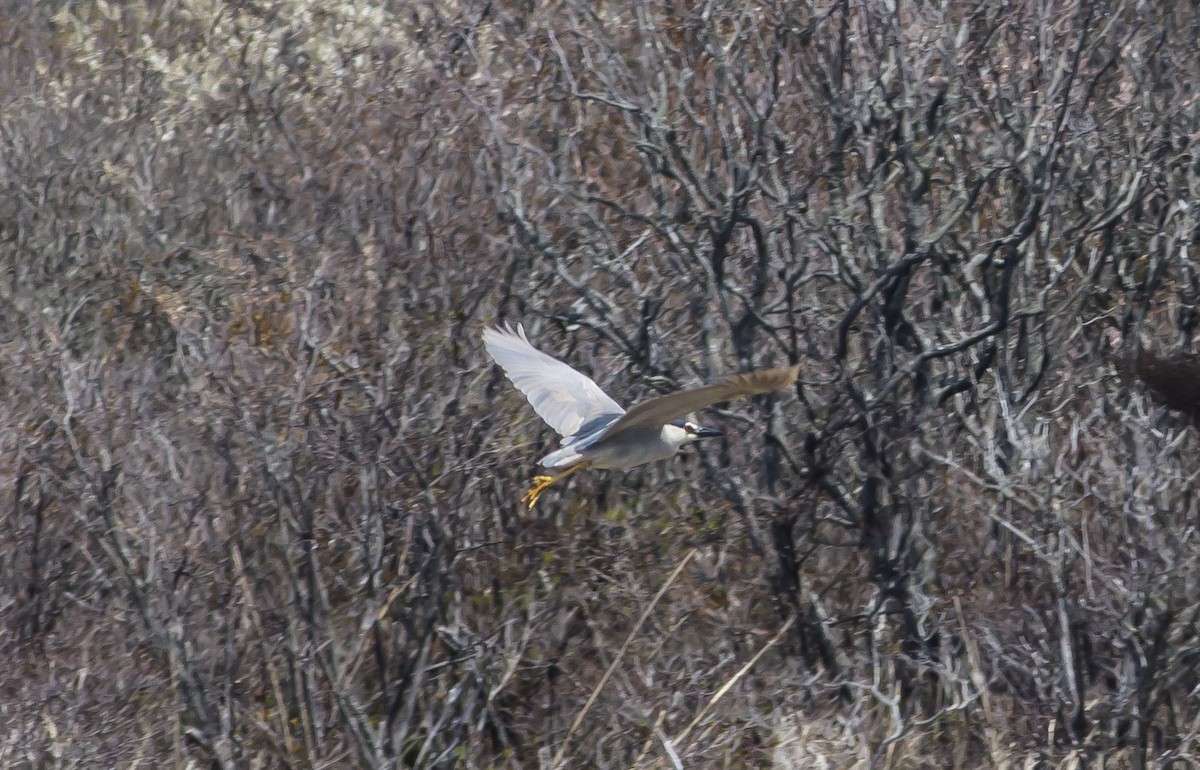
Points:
[[561, 396]]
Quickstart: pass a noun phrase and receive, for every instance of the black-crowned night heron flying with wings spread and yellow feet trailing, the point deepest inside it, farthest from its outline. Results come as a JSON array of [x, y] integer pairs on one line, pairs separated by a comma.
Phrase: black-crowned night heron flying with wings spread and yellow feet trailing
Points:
[[597, 432]]
